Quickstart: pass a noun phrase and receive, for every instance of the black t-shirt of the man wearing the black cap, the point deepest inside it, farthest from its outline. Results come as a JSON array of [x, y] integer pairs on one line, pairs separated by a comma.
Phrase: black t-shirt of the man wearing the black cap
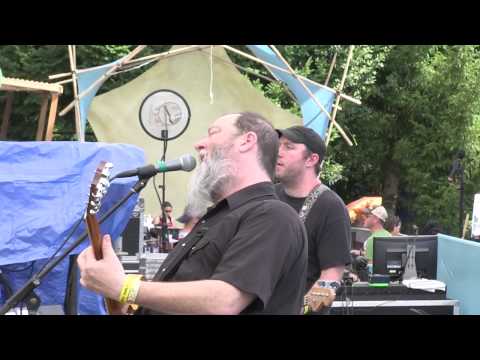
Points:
[[329, 232]]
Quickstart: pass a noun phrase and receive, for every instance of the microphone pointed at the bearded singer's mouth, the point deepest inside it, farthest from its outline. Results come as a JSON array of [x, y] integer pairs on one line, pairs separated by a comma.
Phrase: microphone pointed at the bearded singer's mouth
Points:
[[185, 163]]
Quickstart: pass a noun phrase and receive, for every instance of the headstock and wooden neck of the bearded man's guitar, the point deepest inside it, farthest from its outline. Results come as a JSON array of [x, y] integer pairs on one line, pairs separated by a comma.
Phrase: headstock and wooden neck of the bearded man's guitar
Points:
[[97, 191]]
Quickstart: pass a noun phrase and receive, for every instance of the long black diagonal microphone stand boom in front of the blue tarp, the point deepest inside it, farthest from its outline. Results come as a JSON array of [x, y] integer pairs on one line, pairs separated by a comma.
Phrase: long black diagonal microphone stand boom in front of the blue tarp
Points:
[[35, 281]]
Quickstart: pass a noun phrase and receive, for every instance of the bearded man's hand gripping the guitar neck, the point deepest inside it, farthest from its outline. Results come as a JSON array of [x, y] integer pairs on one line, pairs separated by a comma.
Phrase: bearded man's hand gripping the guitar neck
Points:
[[105, 276]]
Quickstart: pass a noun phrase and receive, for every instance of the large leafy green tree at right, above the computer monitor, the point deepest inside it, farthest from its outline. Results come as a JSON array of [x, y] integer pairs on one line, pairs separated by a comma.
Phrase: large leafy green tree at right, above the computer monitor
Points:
[[422, 108]]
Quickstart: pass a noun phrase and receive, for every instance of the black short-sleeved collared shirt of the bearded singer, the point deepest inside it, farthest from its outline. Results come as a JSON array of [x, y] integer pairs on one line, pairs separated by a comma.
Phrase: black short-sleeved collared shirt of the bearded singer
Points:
[[252, 241]]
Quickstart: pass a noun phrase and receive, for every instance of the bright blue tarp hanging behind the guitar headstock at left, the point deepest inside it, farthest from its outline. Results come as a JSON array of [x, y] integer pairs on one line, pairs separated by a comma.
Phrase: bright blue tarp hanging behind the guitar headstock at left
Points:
[[44, 188]]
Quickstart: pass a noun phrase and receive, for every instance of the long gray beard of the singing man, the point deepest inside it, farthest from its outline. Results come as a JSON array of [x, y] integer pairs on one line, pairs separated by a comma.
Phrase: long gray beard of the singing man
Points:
[[211, 181]]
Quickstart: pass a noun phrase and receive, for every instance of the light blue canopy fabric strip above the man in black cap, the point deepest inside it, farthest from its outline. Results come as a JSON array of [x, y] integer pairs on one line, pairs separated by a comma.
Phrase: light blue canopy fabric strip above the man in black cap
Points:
[[313, 116]]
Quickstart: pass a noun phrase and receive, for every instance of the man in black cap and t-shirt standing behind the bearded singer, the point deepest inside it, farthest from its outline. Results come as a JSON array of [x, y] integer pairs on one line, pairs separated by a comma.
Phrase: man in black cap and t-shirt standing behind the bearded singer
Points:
[[301, 153]]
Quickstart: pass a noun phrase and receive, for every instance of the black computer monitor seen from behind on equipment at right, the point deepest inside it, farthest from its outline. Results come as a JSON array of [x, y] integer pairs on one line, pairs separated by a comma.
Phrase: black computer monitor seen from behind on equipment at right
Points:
[[390, 255]]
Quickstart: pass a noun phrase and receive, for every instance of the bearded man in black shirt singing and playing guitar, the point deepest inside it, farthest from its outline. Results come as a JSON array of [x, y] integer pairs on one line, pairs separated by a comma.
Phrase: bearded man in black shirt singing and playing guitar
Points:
[[246, 255]]
